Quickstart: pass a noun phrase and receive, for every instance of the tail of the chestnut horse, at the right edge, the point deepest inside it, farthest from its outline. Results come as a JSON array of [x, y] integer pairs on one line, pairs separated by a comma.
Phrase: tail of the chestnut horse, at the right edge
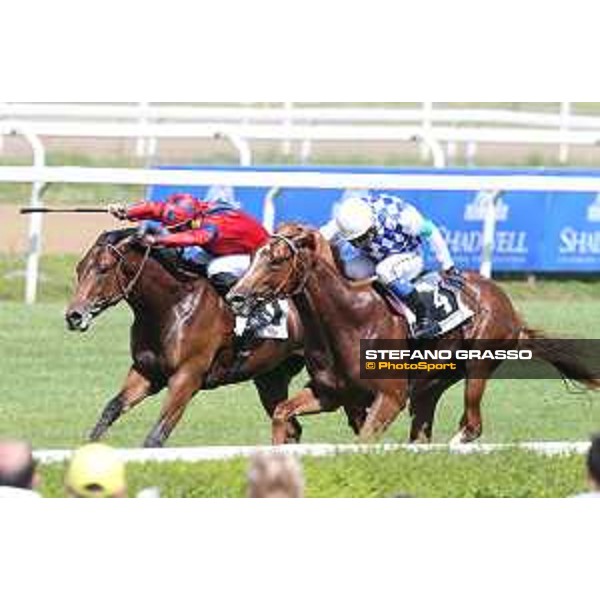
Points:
[[567, 356]]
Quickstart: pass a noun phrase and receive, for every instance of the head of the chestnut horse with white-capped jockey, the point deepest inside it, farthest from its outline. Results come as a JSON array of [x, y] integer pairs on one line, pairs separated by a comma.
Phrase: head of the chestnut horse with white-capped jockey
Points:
[[280, 269]]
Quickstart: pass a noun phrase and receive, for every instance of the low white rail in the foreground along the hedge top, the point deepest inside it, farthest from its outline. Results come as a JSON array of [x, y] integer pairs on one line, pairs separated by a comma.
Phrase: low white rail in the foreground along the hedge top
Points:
[[217, 453]]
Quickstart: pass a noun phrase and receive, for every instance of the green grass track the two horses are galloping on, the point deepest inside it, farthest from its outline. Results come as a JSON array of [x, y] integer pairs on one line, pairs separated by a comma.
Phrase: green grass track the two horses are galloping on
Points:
[[53, 384]]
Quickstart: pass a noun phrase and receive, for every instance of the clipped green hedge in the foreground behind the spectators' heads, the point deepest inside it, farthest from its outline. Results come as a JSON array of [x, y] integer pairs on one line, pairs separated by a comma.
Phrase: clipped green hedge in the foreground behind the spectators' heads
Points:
[[511, 474]]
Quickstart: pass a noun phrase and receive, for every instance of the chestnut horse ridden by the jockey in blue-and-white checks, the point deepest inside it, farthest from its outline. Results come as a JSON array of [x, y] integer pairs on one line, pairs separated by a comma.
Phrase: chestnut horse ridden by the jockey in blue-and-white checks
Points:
[[338, 314]]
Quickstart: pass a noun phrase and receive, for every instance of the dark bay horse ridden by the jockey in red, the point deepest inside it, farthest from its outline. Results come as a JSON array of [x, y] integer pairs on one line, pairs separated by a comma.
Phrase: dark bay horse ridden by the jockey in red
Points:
[[182, 337]]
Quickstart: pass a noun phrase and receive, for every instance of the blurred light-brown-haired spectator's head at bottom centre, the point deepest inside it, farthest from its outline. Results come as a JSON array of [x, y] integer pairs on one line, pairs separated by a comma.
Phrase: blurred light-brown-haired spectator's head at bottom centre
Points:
[[275, 476]]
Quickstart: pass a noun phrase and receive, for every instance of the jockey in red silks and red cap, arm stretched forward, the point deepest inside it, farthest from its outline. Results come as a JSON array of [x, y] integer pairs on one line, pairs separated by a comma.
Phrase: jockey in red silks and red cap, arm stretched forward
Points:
[[215, 235]]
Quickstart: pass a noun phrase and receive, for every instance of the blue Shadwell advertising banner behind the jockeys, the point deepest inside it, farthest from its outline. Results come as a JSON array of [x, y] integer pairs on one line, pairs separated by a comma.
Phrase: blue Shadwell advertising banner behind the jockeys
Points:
[[536, 232]]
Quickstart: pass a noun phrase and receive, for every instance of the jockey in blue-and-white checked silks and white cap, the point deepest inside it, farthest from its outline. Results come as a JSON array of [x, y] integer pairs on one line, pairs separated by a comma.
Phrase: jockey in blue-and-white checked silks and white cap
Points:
[[390, 233]]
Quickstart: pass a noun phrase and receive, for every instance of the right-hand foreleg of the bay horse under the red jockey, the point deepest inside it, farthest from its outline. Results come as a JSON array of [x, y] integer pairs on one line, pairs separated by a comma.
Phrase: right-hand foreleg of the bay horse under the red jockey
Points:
[[182, 388]]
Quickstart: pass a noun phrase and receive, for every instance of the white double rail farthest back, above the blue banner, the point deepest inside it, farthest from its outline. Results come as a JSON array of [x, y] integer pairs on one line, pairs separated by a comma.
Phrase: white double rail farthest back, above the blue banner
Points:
[[148, 123]]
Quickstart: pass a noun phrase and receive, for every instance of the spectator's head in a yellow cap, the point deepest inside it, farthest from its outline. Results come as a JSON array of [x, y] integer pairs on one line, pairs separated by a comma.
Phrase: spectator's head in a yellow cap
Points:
[[96, 471]]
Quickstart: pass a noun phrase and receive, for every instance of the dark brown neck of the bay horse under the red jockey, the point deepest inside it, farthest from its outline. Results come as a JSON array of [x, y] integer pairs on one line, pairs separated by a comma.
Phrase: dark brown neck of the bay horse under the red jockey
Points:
[[157, 291]]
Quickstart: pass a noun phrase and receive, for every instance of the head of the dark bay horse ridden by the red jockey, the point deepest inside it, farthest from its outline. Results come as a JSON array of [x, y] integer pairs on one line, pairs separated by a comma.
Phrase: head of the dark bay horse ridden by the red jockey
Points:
[[104, 277]]
